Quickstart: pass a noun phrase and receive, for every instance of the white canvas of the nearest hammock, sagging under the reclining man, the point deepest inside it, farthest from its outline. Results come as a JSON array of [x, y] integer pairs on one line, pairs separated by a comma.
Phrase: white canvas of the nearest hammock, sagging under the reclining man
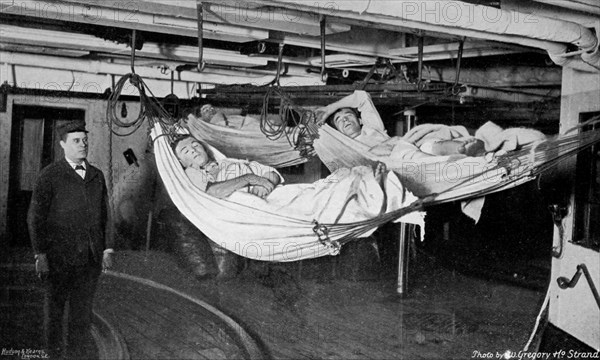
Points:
[[253, 232]]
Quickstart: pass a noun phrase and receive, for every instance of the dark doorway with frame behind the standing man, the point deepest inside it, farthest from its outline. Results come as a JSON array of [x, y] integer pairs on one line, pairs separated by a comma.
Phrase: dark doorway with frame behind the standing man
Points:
[[34, 145]]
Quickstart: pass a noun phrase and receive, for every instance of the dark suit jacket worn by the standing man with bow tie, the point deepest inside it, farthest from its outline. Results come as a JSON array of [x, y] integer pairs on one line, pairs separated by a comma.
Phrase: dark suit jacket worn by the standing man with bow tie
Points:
[[68, 216]]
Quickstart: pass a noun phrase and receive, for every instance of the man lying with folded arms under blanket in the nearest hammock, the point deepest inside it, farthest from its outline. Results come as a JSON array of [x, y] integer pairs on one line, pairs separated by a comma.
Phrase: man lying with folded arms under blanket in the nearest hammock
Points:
[[347, 195]]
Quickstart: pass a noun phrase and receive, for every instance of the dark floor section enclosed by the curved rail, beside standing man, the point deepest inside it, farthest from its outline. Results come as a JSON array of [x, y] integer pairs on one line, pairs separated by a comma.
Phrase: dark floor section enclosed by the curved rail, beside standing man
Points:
[[160, 325]]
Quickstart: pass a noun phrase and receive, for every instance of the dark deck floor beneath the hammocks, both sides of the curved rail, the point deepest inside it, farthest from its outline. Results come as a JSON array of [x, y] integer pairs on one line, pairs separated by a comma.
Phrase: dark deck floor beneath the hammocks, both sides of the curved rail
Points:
[[446, 316]]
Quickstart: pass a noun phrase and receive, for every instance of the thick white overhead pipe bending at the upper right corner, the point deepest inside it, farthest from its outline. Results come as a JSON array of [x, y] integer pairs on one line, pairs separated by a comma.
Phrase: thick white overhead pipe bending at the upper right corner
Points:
[[469, 20]]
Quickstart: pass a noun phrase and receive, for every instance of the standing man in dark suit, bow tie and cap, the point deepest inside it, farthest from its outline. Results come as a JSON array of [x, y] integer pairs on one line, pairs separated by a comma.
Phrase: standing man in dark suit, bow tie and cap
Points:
[[72, 239]]
